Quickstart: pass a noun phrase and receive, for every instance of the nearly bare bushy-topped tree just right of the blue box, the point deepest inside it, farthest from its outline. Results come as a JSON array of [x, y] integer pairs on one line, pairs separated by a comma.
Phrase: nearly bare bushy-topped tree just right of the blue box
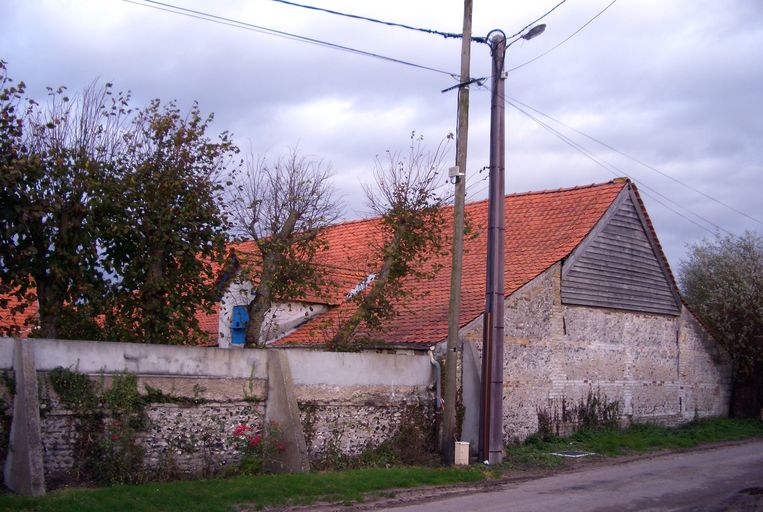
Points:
[[283, 206]]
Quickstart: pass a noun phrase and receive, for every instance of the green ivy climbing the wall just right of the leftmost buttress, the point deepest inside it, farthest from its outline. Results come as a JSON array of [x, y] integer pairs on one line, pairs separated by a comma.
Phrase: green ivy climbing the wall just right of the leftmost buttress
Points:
[[110, 426]]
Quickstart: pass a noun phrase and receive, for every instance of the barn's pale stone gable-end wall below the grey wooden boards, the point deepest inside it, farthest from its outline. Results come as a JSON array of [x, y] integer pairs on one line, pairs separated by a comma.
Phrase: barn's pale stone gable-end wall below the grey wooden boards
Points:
[[562, 360]]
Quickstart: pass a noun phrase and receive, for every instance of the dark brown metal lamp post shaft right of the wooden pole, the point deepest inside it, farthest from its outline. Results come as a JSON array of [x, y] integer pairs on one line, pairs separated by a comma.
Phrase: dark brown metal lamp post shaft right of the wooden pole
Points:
[[493, 378]]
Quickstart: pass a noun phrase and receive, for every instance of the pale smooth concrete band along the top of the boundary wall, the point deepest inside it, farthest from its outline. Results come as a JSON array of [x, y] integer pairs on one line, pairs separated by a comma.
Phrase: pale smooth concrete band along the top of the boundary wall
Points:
[[308, 367]]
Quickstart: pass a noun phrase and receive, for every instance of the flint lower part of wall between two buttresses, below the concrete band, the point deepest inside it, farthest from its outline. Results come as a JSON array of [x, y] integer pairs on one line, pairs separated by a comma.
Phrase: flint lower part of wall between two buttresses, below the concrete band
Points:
[[190, 437]]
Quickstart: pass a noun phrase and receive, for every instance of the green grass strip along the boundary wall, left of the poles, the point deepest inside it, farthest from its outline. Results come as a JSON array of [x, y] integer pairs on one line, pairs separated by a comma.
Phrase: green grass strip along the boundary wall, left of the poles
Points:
[[230, 493]]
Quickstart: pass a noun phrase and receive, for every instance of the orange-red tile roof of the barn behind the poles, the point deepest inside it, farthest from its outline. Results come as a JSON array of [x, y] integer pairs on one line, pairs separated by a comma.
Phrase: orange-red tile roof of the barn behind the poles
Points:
[[542, 228]]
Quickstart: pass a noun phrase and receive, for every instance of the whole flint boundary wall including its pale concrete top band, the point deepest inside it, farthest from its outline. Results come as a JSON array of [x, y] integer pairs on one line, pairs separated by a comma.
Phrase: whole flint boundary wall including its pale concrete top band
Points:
[[347, 401]]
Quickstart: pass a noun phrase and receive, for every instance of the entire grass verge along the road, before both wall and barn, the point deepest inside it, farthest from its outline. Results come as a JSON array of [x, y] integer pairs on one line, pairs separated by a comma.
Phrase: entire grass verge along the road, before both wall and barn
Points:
[[351, 486]]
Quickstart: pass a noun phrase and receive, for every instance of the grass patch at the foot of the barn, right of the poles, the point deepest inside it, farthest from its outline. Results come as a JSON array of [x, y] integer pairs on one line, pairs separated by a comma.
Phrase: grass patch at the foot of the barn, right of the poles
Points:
[[639, 438]]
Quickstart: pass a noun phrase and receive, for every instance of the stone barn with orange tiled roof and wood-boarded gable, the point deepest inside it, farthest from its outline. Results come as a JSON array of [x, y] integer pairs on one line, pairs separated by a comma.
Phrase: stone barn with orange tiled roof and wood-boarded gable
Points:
[[591, 307]]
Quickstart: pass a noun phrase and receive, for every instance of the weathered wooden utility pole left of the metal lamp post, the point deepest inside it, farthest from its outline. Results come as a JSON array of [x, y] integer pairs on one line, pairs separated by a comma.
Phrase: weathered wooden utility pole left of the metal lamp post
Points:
[[448, 424]]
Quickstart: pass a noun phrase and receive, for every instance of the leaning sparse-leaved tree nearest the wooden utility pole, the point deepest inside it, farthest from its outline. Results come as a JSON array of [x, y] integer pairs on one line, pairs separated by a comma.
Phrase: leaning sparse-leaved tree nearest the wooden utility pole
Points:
[[404, 194]]
